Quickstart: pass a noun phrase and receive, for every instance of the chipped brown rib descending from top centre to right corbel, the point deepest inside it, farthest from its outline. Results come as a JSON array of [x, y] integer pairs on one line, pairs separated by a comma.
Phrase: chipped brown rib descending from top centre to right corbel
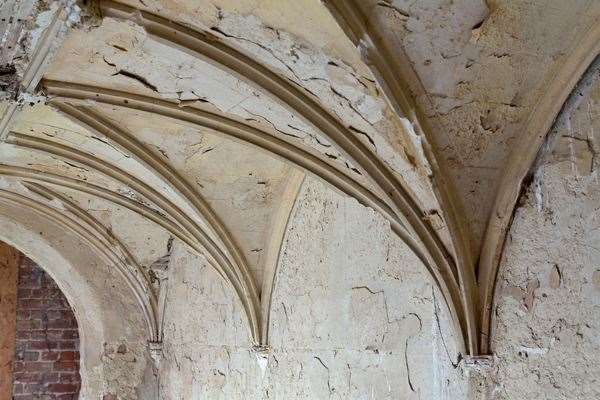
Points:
[[392, 72]]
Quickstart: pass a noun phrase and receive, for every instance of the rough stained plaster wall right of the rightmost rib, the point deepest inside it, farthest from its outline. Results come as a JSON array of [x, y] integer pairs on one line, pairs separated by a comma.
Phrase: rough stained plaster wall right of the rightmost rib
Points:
[[547, 303]]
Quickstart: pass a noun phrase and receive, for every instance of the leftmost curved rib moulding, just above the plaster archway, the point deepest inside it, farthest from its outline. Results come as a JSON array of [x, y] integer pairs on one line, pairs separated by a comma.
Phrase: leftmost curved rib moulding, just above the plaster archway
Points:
[[96, 235]]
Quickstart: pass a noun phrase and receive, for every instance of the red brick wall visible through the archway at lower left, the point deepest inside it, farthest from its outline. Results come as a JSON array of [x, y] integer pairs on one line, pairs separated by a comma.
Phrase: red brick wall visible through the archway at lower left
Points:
[[46, 362]]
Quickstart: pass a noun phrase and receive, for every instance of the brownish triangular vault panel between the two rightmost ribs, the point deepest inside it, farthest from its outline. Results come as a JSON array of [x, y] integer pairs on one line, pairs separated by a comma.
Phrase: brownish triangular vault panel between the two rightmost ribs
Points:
[[481, 67]]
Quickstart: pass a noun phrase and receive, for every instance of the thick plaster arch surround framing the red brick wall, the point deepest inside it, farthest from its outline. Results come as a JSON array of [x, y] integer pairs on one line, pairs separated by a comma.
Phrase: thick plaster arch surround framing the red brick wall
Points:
[[111, 347]]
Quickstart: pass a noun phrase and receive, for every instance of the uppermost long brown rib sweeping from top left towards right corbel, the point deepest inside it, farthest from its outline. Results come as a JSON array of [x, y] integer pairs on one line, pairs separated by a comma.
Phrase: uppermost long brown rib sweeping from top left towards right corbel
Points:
[[210, 48]]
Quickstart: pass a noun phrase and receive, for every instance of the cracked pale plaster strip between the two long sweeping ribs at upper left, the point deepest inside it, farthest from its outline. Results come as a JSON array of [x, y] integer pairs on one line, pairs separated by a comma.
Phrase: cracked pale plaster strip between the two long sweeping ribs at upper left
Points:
[[175, 75]]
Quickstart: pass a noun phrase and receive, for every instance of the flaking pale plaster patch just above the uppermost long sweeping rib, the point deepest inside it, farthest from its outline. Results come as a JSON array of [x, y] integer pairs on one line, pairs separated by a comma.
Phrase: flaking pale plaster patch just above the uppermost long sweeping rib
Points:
[[353, 98]]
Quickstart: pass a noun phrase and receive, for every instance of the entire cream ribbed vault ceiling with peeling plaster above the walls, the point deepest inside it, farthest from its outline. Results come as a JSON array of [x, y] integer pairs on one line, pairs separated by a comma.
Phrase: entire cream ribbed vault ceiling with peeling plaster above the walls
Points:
[[135, 124]]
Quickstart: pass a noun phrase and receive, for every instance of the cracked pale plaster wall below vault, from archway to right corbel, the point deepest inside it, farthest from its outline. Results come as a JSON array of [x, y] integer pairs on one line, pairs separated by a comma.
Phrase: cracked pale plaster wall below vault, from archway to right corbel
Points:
[[354, 315]]
